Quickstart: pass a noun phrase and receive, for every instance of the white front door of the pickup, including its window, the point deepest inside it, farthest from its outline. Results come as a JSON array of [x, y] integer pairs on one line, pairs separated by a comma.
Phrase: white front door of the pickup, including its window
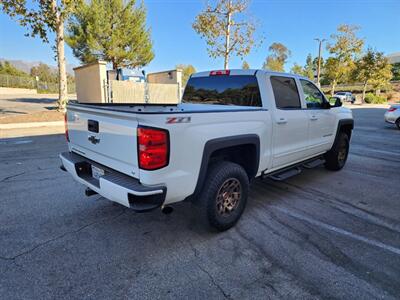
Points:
[[321, 119]]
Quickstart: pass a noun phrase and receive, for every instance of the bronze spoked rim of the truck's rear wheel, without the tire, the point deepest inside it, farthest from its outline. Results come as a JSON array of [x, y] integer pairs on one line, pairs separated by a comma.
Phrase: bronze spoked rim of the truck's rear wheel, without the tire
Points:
[[228, 196]]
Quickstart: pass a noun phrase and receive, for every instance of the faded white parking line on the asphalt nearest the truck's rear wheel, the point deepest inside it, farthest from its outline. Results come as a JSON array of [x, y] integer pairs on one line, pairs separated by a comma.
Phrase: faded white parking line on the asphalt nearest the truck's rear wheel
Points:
[[339, 230]]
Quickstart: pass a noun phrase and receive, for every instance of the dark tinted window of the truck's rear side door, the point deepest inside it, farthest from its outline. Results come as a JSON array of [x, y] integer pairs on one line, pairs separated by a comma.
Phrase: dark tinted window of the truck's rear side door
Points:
[[285, 92]]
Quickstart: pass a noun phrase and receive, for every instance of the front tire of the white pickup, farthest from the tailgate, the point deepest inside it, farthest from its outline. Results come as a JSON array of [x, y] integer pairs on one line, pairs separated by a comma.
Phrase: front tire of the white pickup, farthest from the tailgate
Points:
[[336, 158]]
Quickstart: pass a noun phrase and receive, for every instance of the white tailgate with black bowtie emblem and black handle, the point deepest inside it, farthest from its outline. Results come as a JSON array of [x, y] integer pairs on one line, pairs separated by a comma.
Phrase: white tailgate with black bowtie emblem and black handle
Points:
[[105, 137]]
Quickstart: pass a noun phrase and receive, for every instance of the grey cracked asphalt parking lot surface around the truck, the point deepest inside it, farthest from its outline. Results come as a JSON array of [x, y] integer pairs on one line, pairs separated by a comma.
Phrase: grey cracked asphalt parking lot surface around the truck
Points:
[[321, 234]]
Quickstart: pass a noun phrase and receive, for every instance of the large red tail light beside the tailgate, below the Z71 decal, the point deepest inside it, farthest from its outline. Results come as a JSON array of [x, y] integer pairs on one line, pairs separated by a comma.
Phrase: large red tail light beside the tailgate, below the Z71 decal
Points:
[[153, 148]]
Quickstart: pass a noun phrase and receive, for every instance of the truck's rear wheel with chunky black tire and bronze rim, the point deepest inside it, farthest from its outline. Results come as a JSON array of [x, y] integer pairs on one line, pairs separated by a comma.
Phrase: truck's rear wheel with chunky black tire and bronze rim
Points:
[[224, 195]]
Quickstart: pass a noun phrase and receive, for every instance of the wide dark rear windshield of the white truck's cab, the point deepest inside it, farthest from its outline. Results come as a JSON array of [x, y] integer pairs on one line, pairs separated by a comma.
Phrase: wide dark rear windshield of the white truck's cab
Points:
[[239, 90]]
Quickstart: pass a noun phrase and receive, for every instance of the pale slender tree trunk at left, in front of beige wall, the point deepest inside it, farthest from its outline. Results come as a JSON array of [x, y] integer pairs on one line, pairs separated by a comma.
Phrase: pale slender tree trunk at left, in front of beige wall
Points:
[[62, 72]]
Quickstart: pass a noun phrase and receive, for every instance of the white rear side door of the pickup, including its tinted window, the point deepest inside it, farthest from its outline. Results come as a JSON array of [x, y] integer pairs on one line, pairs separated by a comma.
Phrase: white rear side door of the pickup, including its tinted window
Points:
[[290, 123]]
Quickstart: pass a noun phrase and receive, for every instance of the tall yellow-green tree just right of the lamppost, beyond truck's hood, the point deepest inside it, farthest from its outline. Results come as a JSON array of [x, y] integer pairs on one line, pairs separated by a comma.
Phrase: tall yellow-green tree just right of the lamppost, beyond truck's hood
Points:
[[345, 49]]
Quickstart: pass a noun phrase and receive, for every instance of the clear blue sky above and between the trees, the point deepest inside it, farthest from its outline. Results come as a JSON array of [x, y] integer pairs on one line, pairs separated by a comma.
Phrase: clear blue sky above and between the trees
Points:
[[295, 23]]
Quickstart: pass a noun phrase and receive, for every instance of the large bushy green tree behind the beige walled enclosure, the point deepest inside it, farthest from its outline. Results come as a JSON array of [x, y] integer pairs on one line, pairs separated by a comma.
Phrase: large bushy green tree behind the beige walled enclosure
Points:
[[110, 30]]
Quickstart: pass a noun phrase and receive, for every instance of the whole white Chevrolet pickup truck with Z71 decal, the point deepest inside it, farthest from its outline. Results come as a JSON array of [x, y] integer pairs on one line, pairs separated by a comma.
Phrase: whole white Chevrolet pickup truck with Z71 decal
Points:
[[231, 127]]
